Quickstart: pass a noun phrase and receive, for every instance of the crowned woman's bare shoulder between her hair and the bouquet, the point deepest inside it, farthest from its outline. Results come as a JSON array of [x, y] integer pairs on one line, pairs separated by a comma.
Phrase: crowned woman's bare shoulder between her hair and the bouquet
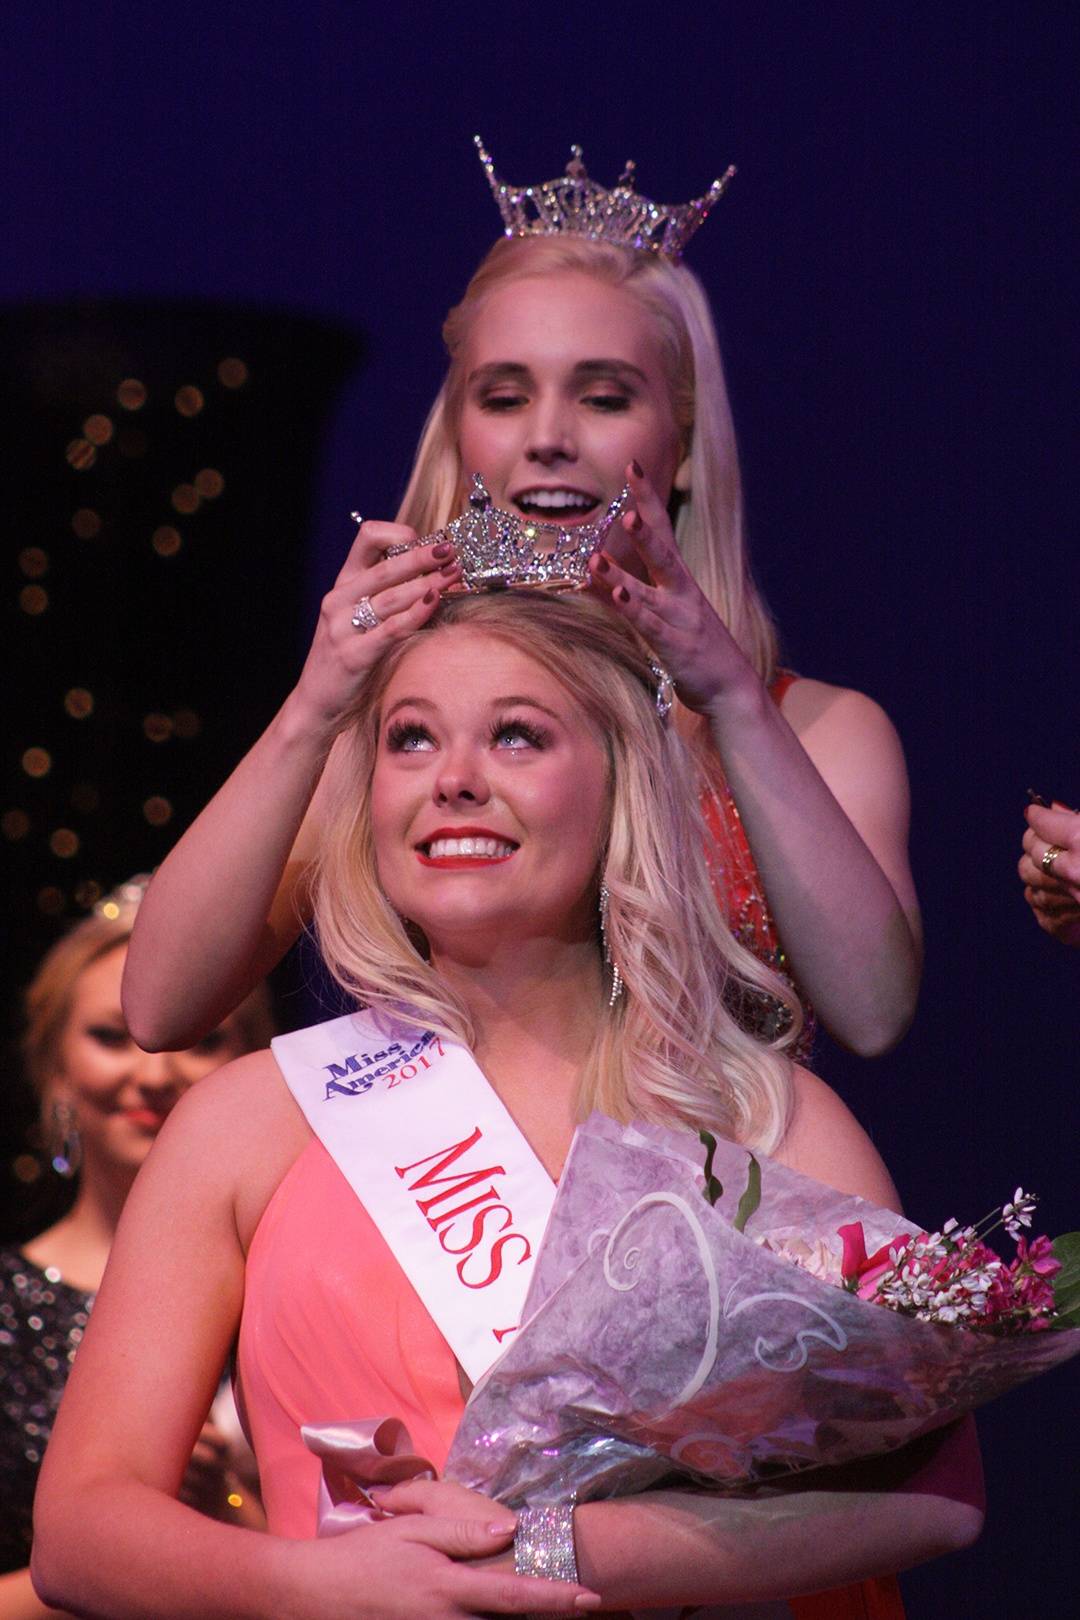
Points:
[[827, 1141]]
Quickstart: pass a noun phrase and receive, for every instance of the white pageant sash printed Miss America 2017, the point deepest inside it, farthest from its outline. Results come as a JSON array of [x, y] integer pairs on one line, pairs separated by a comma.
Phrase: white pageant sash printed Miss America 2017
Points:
[[436, 1161]]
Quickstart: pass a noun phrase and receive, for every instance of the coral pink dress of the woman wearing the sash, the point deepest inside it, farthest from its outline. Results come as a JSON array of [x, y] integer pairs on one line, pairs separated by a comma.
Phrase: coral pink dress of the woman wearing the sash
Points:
[[333, 1332]]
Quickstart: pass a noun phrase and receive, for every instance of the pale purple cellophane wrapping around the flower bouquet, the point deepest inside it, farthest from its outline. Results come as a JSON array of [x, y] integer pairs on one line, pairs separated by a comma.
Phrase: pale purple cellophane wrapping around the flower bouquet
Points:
[[658, 1339]]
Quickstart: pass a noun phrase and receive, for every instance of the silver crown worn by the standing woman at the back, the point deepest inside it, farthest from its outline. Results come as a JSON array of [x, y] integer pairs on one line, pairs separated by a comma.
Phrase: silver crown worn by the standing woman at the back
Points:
[[579, 207]]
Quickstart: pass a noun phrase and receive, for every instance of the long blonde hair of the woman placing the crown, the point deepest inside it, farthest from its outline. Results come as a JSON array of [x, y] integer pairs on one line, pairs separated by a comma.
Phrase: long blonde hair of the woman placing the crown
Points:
[[710, 516]]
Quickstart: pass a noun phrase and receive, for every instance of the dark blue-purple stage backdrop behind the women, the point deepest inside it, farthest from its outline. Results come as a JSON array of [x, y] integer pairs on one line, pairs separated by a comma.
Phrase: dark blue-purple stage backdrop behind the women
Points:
[[895, 276]]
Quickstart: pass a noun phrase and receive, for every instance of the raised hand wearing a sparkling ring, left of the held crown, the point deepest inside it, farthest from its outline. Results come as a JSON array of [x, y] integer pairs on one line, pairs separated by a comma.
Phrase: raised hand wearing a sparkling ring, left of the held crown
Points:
[[375, 602]]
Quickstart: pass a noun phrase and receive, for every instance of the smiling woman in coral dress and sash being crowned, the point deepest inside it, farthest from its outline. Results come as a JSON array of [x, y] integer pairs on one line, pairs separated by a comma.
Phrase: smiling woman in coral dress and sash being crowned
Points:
[[512, 885]]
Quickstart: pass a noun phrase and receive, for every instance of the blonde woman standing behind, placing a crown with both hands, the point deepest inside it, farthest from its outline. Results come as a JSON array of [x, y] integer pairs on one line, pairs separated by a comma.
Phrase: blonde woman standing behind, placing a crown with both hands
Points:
[[579, 365]]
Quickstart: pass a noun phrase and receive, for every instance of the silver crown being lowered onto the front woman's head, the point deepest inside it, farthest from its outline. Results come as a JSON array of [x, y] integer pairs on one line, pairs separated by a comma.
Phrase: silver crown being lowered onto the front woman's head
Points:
[[500, 550]]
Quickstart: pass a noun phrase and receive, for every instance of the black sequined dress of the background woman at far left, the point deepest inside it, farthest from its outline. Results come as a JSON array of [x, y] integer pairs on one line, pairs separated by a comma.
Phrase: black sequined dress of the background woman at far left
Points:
[[41, 1326]]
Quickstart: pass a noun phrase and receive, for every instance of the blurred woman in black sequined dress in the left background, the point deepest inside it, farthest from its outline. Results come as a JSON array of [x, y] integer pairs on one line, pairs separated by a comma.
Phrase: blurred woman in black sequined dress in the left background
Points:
[[103, 1104]]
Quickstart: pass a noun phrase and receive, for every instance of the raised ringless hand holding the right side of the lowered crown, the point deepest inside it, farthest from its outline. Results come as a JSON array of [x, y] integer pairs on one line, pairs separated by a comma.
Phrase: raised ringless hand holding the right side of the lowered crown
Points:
[[670, 608]]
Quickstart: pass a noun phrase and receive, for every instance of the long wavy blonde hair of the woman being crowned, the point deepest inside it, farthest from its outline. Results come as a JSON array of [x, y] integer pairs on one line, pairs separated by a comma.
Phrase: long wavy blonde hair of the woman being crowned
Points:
[[671, 1049]]
